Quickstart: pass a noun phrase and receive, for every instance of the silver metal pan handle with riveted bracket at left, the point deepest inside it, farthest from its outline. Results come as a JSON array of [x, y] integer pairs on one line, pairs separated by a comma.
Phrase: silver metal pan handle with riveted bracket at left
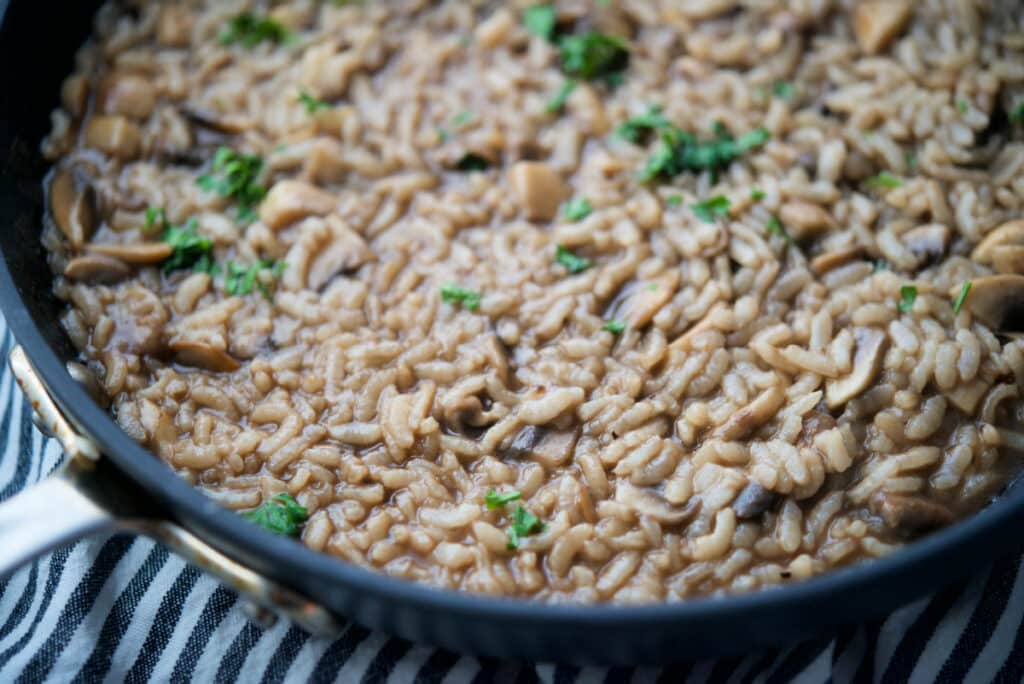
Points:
[[89, 496]]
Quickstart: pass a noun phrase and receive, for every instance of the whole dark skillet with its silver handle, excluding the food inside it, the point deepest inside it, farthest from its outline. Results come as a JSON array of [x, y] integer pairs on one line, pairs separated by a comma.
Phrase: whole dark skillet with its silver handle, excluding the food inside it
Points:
[[129, 489]]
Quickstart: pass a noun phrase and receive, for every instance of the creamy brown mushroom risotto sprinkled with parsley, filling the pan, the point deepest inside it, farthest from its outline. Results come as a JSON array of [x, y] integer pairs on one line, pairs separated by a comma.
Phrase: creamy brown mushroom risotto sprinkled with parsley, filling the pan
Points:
[[629, 302]]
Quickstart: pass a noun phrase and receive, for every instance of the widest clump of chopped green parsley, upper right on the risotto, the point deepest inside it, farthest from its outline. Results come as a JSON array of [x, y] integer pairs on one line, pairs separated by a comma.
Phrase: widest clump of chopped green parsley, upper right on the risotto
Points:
[[680, 151]]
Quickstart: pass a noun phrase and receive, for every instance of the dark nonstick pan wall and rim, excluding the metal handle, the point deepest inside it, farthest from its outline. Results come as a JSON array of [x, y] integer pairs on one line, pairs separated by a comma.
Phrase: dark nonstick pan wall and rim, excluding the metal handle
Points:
[[37, 46]]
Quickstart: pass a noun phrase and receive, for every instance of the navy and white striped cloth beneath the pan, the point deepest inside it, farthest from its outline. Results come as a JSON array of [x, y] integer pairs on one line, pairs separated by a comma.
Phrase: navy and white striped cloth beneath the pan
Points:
[[123, 610]]
